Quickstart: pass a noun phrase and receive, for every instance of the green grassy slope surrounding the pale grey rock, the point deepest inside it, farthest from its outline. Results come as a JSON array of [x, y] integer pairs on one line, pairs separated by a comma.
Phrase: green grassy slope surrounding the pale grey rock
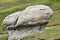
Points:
[[9, 6]]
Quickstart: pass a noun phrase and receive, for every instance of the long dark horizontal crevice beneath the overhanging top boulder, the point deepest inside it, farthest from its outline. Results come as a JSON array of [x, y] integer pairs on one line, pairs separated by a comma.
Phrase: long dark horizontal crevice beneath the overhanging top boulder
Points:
[[26, 26]]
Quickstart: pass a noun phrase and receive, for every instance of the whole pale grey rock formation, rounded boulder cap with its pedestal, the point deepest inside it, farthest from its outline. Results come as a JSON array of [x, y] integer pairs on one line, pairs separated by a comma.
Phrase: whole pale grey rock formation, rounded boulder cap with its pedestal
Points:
[[27, 22]]
